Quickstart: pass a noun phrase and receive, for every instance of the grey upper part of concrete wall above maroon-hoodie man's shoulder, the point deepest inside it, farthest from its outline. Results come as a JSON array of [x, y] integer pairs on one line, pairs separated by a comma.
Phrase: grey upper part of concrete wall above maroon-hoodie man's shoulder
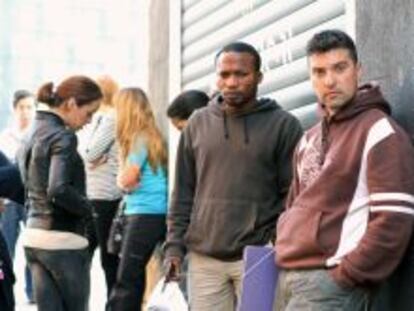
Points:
[[385, 39]]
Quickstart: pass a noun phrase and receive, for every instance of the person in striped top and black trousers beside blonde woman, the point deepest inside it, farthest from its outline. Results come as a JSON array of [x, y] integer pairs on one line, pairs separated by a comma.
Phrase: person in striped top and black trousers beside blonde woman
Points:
[[101, 161]]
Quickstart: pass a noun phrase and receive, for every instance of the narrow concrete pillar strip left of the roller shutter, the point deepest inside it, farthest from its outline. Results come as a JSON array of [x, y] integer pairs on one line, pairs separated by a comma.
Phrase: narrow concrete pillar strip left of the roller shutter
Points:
[[158, 60]]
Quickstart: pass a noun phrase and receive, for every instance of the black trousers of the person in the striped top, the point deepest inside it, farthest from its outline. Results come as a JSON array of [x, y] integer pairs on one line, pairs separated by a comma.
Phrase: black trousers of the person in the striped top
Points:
[[98, 232]]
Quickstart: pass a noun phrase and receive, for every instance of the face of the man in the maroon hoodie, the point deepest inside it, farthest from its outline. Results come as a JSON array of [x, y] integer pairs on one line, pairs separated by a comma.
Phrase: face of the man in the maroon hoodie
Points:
[[334, 77]]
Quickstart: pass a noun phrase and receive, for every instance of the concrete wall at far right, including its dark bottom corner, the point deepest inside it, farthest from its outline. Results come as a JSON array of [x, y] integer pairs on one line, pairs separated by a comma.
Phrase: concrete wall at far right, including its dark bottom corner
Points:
[[385, 40]]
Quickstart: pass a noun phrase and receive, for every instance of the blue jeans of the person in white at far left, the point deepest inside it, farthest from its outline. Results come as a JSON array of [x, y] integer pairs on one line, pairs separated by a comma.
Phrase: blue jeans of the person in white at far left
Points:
[[11, 218]]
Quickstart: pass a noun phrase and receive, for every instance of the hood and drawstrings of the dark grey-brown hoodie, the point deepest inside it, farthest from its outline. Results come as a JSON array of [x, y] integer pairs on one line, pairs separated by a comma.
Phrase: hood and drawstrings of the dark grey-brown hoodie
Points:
[[261, 105]]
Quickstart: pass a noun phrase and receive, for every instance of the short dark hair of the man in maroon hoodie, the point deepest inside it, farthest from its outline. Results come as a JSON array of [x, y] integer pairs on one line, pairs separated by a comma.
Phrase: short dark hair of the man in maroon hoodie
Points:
[[328, 40]]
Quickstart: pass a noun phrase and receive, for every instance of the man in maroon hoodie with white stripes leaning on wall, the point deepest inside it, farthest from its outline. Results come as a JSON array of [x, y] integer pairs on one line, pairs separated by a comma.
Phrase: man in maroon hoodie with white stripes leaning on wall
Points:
[[349, 212]]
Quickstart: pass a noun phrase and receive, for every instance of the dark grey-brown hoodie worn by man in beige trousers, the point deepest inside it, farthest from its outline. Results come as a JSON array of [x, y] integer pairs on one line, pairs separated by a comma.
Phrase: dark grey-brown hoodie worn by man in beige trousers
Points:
[[232, 175]]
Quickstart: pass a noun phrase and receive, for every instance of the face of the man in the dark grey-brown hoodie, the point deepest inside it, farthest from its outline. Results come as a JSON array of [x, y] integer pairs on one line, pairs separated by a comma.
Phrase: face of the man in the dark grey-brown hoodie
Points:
[[237, 78]]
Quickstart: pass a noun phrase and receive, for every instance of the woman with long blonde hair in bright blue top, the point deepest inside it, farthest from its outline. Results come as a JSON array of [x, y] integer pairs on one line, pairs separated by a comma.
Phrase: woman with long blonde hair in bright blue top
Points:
[[143, 177]]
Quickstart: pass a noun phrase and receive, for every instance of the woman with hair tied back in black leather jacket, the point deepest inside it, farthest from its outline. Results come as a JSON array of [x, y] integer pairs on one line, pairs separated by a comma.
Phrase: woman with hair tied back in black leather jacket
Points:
[[53, 173]]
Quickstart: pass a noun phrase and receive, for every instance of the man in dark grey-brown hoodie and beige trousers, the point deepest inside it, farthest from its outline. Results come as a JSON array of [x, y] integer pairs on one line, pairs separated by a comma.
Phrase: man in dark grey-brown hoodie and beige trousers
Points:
[[233, 171]]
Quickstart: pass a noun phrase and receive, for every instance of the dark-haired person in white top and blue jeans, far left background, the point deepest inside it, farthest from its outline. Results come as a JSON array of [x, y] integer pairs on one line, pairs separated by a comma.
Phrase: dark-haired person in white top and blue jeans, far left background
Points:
[[11, 139]]
